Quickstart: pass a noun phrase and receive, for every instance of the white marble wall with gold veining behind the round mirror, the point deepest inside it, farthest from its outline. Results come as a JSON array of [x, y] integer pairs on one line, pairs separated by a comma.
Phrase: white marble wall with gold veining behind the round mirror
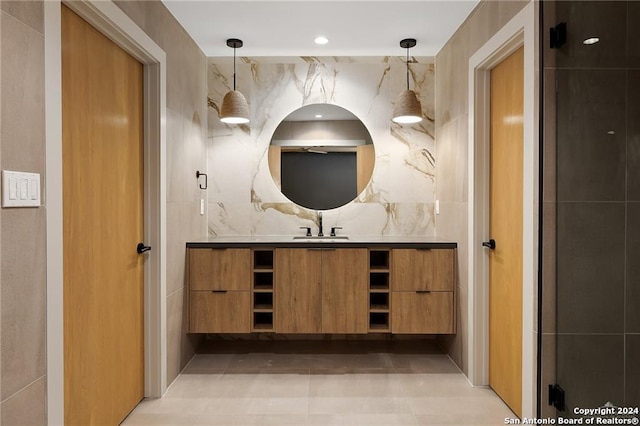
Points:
[[242, 197]]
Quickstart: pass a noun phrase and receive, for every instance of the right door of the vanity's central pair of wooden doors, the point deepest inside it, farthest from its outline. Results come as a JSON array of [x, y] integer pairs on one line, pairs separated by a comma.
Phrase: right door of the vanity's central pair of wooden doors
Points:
[[345, 305]]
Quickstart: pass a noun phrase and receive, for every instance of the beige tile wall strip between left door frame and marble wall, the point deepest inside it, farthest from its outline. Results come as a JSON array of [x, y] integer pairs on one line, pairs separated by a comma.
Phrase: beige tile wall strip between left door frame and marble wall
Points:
[[186, 153]]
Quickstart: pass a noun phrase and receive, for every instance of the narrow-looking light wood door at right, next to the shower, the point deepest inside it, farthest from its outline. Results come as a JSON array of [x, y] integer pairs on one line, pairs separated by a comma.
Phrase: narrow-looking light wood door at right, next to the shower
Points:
[[505, 262]]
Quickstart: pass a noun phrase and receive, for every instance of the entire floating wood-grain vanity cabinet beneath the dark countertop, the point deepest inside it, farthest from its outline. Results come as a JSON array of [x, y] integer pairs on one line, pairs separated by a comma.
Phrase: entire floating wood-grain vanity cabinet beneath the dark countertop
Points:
[[321, 290]]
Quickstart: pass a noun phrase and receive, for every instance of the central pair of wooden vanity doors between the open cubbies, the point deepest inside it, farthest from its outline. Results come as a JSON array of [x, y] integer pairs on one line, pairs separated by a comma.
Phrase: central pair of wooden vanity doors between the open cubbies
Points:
[[321, 290]]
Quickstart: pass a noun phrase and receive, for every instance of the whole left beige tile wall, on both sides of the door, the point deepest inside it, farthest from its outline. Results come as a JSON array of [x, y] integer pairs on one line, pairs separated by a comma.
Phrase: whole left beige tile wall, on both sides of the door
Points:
[[22, 231]]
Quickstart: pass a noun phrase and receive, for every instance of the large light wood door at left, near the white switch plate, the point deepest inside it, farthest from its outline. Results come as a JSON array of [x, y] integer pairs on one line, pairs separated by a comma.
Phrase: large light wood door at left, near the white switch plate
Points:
[[102, 110]]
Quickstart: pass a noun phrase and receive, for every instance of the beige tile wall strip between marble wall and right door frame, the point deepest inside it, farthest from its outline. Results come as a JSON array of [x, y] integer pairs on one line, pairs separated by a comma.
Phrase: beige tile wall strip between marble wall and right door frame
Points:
[[452, 139]]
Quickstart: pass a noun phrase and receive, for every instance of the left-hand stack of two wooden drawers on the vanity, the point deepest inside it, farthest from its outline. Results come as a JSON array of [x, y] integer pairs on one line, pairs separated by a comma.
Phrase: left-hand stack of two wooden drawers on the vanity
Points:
[[219, 290]]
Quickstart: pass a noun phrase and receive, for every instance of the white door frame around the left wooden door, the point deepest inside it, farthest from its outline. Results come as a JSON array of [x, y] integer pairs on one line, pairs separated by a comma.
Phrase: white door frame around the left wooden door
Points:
[[115, 24]]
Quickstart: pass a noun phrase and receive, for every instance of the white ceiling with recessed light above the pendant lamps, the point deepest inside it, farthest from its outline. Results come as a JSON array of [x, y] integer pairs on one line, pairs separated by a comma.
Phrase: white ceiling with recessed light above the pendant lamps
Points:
[[288, 28]]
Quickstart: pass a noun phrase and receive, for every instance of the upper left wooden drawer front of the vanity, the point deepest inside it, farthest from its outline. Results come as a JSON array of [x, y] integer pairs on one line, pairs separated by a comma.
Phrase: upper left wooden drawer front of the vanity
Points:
[[215, 269]]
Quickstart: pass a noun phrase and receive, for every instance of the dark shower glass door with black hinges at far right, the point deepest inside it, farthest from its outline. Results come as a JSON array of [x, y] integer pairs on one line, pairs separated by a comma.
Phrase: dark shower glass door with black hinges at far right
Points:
[[592, 89]]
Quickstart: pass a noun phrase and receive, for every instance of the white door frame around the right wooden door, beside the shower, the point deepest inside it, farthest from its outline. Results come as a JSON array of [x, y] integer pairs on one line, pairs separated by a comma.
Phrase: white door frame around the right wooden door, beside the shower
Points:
[[519, 31]]
